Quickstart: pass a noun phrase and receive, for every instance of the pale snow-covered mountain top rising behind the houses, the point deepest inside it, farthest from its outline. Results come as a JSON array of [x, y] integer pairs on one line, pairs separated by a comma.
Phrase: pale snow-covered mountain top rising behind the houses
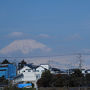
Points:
[[24, 46]]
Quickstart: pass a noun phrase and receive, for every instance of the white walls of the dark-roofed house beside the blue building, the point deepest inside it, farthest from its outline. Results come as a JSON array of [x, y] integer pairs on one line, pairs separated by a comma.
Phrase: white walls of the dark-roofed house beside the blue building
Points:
[[29, 74]]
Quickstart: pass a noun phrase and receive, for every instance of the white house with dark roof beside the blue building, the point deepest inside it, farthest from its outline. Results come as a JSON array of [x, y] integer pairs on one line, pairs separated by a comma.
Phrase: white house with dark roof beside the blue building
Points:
[[30, 73]]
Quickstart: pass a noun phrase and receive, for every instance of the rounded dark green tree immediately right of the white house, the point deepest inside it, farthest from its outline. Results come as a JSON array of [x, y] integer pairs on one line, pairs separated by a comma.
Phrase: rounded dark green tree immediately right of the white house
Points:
[[45, 79]]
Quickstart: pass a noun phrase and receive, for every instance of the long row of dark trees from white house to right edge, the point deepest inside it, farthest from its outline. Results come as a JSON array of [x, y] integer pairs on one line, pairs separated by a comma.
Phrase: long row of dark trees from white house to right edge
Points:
[[76, 79]]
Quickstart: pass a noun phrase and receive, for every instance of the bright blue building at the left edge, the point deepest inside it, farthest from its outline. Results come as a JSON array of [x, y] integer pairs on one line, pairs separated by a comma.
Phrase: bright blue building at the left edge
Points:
[[8, 70]]
